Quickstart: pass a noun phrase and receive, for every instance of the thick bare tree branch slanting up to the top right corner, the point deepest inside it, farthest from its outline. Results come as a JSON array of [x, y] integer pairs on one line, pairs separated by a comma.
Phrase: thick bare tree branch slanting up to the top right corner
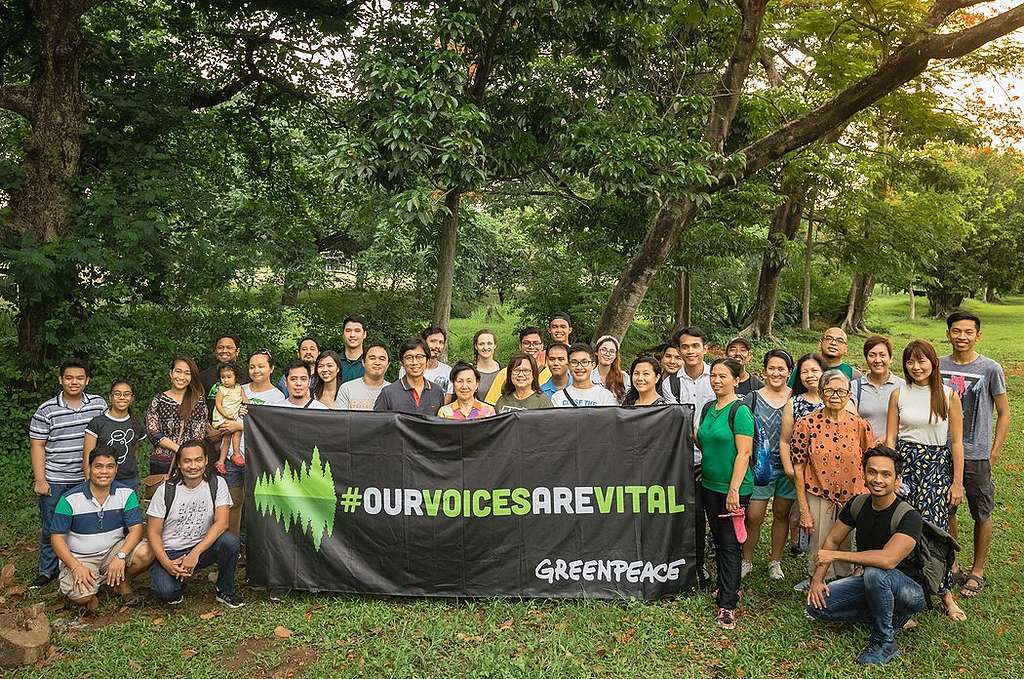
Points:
[[903, 67]]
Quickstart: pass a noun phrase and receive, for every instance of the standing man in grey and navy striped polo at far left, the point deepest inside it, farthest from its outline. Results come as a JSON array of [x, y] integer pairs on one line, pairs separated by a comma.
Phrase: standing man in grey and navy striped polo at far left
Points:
[[57, 434]]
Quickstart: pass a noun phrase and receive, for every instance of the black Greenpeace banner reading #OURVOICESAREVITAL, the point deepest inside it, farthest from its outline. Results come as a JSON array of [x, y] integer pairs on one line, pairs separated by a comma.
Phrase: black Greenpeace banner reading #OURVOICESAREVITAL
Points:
[[590, 502]]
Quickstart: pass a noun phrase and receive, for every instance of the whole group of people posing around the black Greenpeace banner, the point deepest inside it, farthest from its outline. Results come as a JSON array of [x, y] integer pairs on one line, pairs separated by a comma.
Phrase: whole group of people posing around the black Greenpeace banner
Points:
[[807, 435]]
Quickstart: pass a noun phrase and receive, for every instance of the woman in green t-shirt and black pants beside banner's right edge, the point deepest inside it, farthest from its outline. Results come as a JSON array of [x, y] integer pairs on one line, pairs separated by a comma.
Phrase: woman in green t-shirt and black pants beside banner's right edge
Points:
[[727, 479]]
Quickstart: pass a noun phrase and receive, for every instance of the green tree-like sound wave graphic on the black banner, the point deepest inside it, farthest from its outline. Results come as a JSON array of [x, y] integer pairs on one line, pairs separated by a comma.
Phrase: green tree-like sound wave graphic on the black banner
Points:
[[305, 498]]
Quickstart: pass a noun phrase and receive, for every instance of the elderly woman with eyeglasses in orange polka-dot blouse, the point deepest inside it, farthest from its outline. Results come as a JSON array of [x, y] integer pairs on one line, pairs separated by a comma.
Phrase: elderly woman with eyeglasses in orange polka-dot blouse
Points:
[[827, 453]]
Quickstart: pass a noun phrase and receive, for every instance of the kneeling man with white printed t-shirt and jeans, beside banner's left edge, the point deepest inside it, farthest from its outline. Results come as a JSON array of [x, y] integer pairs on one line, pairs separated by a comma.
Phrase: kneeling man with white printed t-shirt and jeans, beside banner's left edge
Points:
[[188, 529]]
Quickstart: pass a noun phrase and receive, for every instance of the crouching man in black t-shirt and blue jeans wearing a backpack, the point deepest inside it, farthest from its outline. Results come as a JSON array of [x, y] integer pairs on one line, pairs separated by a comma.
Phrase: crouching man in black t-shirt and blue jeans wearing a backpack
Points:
[[892, 588]]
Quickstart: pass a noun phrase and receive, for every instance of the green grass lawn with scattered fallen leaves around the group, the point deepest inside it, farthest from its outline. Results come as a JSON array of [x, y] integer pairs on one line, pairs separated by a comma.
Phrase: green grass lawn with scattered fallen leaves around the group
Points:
[[324, 636]]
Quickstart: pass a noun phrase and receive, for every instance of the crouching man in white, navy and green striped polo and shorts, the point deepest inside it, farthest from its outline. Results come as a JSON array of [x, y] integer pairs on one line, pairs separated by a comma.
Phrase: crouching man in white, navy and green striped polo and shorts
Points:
[[96, 533]]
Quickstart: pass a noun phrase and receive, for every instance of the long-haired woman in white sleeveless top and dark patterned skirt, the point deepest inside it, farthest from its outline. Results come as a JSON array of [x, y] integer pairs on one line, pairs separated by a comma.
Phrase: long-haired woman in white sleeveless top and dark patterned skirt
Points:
[[926, 427]]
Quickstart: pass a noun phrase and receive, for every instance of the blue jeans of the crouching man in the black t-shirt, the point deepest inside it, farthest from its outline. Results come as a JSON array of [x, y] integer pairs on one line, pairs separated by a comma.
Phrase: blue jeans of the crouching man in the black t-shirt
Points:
[[884, 600]]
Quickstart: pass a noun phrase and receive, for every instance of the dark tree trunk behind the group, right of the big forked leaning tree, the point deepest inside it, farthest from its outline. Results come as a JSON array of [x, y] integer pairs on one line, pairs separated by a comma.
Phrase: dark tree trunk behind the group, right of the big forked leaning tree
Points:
[[784, 229]]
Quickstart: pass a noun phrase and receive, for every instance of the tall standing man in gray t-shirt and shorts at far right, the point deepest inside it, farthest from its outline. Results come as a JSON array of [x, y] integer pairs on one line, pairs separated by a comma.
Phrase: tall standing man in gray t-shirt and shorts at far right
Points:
[[983, 389]]
